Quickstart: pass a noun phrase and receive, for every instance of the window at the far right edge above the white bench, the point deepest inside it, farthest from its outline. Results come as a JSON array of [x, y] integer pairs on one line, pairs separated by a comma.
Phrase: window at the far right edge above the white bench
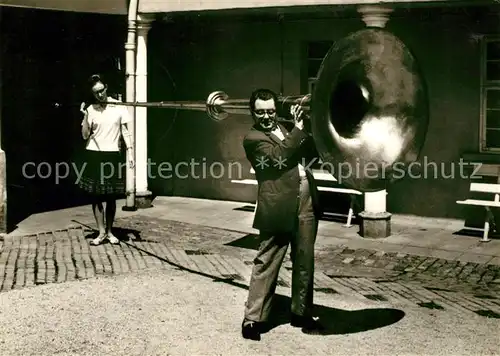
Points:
[[490, 95]]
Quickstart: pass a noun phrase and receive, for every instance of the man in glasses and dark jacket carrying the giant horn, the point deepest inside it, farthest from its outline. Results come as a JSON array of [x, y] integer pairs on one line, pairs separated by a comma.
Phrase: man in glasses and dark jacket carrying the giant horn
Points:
[[287, 212]]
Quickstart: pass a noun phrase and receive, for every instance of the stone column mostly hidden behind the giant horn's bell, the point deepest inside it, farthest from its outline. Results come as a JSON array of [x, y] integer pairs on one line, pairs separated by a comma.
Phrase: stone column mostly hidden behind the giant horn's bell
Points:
[[375, 220]]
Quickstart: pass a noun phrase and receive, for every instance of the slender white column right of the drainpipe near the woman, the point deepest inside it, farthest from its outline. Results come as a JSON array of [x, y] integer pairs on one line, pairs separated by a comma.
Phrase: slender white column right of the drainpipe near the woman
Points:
[[143, 196]]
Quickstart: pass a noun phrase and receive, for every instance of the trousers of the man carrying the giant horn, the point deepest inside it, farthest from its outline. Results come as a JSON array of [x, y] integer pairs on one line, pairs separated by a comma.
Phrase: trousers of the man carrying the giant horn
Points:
[[267, 264]]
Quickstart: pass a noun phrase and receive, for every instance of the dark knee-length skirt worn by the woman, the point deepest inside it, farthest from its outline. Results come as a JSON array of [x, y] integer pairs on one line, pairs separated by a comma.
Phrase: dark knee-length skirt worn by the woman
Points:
[[103, 174]]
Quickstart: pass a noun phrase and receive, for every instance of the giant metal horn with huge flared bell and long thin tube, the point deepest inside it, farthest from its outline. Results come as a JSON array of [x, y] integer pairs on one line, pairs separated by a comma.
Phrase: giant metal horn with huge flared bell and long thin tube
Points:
[[368, 111]]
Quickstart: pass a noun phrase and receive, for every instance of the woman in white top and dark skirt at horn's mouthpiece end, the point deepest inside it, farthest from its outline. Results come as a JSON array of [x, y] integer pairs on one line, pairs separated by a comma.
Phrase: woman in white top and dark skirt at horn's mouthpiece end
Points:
[[102, 126]]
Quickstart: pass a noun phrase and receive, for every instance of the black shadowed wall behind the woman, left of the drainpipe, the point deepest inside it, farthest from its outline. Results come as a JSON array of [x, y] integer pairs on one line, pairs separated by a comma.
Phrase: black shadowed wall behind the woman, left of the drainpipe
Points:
[[47, 57]]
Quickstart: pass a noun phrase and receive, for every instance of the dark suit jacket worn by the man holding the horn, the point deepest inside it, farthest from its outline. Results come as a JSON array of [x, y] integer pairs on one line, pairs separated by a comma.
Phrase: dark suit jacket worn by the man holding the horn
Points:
[[279, 184]]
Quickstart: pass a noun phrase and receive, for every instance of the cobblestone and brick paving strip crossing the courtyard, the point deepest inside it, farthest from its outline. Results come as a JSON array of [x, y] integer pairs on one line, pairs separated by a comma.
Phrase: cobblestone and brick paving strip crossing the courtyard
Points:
[[65, 255]]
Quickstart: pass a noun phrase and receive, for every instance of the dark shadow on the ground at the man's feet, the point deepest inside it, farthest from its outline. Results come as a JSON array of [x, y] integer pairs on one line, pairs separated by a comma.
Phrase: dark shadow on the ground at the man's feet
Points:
[[338, 321]]
